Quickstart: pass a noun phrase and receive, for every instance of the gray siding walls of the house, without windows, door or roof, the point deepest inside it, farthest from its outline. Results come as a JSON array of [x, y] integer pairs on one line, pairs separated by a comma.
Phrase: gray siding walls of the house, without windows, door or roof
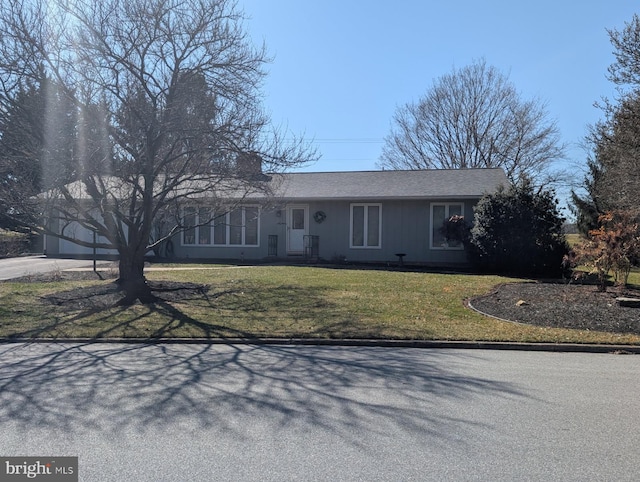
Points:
[[406, 228]]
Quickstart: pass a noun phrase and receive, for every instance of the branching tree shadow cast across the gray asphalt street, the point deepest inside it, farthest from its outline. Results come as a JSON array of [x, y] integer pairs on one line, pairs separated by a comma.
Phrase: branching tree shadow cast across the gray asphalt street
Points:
[[110, 388]]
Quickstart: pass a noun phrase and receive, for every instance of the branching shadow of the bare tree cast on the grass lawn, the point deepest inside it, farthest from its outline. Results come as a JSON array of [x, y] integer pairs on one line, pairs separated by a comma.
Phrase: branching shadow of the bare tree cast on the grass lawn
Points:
[[244, 312]]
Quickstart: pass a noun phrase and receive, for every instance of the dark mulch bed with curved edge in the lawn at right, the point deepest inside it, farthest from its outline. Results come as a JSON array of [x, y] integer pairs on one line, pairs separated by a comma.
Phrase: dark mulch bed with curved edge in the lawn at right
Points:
[[561, 305]]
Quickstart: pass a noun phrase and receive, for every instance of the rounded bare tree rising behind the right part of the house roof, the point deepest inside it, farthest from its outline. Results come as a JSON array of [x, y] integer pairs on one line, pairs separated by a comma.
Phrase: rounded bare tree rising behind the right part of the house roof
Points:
[[474, 118]]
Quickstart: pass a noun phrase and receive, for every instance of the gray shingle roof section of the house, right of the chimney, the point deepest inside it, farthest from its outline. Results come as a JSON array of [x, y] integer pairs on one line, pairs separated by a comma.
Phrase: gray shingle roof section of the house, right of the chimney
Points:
[[423, 184]]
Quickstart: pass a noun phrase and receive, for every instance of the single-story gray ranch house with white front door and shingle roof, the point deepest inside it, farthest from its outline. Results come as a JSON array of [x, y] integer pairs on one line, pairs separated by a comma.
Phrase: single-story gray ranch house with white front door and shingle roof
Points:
[[366, 216]]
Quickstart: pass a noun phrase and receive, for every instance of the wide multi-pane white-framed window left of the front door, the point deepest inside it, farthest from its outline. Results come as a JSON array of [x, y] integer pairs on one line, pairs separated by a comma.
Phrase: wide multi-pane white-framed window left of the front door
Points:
[[239, 227]]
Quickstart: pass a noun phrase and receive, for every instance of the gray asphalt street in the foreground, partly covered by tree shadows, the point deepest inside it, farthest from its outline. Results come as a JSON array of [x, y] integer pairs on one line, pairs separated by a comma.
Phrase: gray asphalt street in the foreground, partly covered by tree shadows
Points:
[[274, 413]]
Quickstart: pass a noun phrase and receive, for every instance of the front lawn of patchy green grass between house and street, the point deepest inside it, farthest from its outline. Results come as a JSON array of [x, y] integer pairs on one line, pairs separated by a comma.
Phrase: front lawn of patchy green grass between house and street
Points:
[[289, 302]]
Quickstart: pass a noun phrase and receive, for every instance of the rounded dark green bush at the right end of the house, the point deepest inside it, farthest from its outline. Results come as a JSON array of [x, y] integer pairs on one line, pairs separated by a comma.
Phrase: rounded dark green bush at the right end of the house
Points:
[[519, 232]]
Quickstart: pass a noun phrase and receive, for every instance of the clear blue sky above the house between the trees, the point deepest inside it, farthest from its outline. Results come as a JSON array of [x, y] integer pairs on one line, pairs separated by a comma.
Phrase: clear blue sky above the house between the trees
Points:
[[341, 67]]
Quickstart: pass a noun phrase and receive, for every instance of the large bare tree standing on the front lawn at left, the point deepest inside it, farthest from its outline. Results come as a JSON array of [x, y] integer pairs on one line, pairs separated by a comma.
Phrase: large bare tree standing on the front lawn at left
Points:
[[167, 99]]
